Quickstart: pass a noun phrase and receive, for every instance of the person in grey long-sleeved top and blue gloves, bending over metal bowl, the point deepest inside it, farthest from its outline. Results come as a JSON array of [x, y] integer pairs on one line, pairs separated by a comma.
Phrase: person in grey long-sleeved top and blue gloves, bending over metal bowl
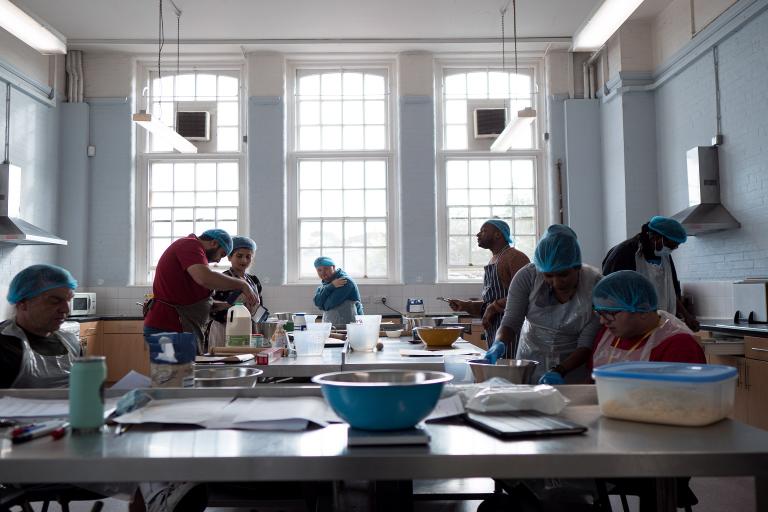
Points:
[[549, 307]]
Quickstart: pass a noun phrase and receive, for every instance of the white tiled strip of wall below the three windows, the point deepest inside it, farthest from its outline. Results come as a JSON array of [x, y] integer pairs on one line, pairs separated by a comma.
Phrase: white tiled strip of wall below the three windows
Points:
[[122, 300]]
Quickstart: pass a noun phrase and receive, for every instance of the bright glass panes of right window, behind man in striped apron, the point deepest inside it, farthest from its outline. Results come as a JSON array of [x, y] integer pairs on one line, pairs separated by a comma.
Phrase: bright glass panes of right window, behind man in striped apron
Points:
[[476, 184]]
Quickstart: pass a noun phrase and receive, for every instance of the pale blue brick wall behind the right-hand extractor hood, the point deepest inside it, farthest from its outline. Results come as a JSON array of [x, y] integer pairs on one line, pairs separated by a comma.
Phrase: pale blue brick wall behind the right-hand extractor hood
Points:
[[685, 117]]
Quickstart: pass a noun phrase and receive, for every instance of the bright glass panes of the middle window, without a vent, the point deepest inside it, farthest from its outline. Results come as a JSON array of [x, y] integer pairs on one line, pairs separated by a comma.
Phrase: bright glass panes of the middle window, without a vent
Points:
[[341, 172]]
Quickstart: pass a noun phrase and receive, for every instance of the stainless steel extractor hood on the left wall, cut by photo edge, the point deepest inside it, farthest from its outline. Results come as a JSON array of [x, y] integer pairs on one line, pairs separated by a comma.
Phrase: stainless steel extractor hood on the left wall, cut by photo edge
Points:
[[13, 229]]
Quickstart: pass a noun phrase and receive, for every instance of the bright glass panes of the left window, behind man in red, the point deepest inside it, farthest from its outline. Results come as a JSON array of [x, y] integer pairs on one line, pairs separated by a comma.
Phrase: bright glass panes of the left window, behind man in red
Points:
[[189, 193]]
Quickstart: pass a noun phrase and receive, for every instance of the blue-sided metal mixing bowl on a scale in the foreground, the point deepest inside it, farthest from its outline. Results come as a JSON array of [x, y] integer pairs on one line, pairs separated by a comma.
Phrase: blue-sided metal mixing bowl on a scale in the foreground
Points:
[[382, 399]]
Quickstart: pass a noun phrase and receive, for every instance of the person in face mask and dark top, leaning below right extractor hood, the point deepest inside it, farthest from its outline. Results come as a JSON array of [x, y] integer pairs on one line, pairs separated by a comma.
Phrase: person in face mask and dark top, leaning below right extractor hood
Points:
[[649, 252]]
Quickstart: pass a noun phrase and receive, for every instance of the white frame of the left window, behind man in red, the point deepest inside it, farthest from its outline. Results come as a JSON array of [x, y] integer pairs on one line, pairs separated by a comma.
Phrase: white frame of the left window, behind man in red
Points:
[[144, 159]]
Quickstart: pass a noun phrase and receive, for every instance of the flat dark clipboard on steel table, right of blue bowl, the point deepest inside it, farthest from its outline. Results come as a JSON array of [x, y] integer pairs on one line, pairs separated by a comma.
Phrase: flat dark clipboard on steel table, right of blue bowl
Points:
[[519, 424]]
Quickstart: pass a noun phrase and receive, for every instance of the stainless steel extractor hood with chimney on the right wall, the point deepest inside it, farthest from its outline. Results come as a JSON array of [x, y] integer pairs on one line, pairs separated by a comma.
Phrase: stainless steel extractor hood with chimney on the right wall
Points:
[[704, 214]]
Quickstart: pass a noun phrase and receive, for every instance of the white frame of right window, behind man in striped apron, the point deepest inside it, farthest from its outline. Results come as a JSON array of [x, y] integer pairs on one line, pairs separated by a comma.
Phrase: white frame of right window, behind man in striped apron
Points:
[[442, 155]]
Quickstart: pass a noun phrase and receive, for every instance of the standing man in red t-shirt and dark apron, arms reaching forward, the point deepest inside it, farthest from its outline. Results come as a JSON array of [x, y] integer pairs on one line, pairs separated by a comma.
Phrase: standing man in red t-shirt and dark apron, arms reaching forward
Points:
[[183, 284]]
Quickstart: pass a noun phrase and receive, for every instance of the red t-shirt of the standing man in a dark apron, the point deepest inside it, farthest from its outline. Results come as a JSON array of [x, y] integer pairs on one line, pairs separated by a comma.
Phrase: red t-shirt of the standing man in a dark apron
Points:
[[174, 285]]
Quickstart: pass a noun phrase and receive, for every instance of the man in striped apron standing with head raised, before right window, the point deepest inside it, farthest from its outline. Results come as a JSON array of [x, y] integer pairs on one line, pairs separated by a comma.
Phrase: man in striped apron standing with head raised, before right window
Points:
[[494, 235]]
